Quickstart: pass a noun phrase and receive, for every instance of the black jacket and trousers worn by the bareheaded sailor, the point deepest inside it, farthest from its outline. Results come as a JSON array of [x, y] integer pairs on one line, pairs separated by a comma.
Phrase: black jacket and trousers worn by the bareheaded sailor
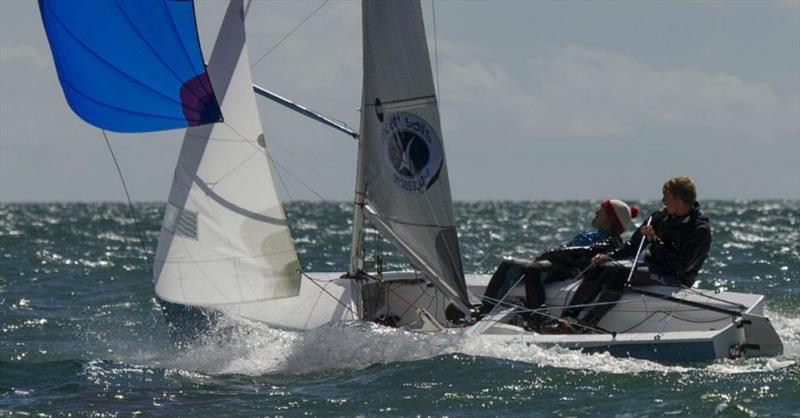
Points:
[[674, 259]]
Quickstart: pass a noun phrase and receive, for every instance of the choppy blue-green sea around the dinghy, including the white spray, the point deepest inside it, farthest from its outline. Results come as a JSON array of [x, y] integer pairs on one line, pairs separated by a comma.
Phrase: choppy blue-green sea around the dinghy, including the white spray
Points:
[[81, 332]]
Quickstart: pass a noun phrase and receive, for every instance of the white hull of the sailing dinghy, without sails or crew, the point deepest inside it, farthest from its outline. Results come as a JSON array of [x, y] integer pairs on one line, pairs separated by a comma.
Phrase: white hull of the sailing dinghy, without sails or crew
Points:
[[644, 326]]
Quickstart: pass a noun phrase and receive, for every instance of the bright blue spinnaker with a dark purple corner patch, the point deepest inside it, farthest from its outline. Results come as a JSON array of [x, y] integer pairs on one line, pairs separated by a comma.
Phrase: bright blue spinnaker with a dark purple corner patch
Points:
[[130, 66]]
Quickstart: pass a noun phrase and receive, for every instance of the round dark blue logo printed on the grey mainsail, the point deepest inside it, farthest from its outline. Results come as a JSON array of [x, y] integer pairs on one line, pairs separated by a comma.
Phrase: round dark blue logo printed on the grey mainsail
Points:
[[413, 150]]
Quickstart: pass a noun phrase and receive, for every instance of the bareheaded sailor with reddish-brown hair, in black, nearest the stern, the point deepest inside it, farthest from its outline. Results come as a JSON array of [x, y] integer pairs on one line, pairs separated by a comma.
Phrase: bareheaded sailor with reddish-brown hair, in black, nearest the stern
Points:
[[679, 239]]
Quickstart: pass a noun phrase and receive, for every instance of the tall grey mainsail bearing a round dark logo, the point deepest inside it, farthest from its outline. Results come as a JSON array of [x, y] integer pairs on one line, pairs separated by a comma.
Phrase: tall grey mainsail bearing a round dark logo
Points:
[[406, 185]]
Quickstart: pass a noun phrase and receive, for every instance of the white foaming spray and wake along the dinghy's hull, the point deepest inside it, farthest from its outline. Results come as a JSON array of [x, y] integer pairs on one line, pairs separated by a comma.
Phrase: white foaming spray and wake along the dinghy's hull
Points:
[[239, 346]]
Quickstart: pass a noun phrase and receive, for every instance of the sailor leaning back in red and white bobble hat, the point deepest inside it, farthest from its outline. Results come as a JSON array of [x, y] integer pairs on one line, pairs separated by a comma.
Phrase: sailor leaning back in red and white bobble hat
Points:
[[611, 219]]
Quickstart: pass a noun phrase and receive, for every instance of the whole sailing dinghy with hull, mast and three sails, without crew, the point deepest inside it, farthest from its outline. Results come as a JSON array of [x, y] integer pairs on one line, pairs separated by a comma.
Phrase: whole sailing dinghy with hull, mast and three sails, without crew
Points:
[[225, 246]]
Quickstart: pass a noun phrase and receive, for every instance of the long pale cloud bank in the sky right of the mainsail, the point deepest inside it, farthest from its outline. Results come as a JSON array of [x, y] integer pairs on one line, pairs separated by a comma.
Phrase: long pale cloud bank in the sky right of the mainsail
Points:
[[573, 91]]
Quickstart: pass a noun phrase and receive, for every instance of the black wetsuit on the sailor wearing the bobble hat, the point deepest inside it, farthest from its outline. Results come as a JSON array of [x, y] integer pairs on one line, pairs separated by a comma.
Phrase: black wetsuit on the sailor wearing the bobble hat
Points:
[[553, 265]]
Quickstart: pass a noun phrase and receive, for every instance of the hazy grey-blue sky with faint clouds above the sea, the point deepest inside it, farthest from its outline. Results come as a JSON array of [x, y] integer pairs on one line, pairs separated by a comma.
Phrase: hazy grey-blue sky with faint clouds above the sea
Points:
[[539, 100]]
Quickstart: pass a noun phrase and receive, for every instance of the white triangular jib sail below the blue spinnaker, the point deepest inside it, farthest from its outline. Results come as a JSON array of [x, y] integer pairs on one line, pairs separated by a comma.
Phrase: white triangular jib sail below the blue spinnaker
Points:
[[224, 238]]
